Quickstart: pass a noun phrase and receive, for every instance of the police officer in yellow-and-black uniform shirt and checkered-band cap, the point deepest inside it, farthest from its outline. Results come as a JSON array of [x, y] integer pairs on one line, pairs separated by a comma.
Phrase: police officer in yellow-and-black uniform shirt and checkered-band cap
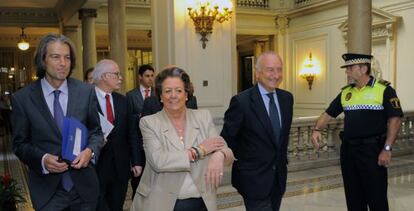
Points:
[[372, 121]]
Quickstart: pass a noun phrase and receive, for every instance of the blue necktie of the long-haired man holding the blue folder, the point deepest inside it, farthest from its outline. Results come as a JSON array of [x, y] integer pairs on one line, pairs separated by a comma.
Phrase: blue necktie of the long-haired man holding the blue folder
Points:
[[67, 182]]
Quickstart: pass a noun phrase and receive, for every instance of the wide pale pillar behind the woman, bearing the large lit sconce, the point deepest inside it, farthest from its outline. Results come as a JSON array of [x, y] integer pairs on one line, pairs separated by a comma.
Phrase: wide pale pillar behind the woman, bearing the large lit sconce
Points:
[[212, 70]]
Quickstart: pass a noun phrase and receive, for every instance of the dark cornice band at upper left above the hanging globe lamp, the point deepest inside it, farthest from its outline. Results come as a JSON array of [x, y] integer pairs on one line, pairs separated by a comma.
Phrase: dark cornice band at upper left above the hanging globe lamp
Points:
[[28, 16]]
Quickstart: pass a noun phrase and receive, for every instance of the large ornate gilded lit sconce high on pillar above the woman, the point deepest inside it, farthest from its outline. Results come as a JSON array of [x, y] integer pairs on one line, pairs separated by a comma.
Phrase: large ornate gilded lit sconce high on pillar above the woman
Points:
[[205, 12]]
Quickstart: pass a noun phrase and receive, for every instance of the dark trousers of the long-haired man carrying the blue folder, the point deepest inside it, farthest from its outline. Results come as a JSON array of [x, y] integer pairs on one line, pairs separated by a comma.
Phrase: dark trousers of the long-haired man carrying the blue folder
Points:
[[68, 201]]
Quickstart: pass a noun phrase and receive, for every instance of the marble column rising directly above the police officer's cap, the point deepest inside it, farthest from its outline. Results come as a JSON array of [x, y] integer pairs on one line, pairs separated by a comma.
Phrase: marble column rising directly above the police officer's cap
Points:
[[359, 26]]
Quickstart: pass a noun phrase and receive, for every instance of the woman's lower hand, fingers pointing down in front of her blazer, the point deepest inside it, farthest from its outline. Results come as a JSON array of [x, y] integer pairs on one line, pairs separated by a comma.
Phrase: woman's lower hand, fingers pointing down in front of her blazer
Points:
[[214, 173]]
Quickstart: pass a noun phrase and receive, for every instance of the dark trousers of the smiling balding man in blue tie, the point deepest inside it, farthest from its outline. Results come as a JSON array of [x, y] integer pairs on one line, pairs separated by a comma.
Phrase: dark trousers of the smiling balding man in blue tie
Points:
[[272, 203]]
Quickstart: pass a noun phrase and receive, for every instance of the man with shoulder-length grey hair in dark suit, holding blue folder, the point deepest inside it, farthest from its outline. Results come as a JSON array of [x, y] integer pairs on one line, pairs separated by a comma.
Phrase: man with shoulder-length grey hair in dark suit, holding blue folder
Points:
[[38, 113]]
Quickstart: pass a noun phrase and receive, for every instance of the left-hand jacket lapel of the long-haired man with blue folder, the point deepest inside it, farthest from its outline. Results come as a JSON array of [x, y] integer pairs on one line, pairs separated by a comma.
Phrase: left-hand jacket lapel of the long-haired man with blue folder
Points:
[[40, 103]]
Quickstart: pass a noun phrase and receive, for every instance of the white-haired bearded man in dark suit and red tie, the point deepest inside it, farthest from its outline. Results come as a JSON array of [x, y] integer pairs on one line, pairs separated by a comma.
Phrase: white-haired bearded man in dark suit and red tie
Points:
[[113, 166]]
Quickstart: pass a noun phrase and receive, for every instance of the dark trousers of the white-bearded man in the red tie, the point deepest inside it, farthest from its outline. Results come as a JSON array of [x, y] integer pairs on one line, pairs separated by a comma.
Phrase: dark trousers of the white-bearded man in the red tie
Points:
[[112, 189]]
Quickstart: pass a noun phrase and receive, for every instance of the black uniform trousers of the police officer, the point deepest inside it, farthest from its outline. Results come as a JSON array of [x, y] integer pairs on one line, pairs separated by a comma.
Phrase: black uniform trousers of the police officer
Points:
[[365, 182]]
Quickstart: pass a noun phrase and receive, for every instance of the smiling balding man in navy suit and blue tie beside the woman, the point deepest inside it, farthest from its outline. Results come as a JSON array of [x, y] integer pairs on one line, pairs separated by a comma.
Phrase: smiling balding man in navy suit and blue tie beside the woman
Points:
[[256, 127]]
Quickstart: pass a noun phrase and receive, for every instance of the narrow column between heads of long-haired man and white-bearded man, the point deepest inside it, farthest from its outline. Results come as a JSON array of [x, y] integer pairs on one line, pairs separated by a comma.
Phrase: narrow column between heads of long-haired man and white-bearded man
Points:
[[87, 16]]
